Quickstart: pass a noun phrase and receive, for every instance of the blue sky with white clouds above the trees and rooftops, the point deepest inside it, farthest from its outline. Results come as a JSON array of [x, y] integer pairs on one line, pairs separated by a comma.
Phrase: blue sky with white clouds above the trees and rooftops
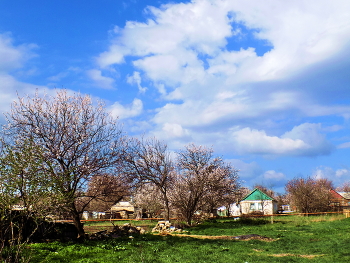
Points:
[[265, 83]]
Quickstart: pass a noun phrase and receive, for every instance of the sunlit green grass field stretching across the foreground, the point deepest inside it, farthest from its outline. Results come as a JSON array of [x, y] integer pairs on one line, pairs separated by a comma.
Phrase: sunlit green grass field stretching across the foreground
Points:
[[295, 239]]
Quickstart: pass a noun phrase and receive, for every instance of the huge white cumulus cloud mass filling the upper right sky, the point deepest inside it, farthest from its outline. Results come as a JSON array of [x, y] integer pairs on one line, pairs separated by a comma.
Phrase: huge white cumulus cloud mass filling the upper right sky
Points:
[[211, 85]]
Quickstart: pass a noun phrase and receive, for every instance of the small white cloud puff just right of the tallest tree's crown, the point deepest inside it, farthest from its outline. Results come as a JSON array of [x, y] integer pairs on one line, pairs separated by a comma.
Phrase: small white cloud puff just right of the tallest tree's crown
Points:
[[122, 112]]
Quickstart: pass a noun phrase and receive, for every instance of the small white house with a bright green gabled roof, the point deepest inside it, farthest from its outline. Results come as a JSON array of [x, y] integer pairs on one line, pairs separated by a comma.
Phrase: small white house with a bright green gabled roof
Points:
[[258, 202]]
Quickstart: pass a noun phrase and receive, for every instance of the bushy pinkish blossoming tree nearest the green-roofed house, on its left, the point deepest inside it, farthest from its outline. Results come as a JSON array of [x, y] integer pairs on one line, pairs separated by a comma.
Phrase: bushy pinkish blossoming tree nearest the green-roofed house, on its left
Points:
[[200, 176]]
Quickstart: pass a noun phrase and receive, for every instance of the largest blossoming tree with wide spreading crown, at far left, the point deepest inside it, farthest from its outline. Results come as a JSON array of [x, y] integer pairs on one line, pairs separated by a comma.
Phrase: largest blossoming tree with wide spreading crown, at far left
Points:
[[77, 139]]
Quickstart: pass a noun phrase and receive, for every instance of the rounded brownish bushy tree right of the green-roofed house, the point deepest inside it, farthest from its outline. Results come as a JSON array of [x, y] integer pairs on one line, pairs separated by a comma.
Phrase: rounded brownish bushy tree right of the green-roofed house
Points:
[[310, 195]]
